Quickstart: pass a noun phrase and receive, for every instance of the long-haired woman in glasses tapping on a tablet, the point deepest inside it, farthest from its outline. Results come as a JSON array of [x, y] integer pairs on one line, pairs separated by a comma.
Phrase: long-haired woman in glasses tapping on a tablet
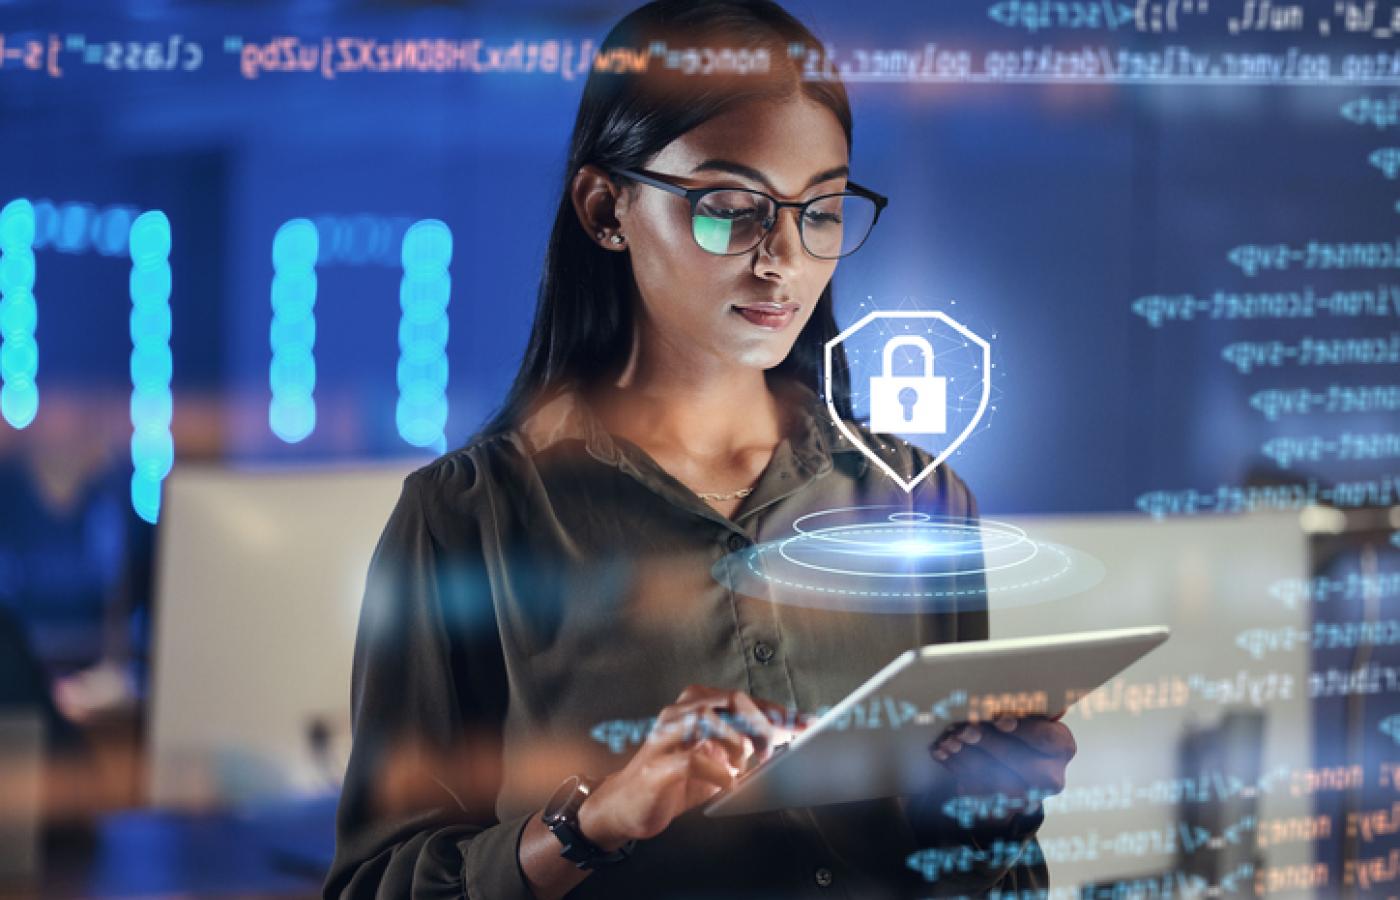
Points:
[[549, 583]]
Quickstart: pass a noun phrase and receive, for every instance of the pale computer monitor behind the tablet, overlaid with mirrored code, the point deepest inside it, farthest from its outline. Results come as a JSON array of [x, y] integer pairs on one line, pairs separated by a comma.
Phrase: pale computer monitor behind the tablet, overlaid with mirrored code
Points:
[[1216, 706]]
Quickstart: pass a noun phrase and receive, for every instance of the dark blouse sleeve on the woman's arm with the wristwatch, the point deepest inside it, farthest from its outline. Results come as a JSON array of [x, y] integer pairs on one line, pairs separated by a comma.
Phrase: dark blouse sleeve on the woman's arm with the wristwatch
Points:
[[429, 689]]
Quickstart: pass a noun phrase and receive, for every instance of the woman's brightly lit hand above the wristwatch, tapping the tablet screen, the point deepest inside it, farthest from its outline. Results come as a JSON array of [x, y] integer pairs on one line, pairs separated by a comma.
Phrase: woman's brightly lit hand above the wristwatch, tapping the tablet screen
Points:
[[696, 750]]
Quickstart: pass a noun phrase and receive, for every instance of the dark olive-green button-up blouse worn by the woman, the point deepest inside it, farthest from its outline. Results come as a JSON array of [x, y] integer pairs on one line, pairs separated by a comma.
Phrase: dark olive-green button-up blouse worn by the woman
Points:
[[537, 591]]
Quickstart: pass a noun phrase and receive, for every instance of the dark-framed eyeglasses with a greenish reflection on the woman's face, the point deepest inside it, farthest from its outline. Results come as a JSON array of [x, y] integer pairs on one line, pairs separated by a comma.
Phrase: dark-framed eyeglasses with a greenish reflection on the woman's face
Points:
[[729, 222]]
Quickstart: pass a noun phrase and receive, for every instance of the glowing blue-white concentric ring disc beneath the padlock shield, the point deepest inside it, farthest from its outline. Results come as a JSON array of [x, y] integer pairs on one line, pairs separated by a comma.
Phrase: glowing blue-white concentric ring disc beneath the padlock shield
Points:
[[895, 561]]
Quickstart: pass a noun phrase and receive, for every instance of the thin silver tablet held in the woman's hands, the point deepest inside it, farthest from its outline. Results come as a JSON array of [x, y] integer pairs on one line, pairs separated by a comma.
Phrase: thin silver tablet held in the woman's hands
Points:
[[876, 743]]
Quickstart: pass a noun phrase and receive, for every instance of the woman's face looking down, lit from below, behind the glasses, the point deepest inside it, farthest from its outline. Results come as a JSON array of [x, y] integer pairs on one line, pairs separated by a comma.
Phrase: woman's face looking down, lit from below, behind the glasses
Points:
[[702, 309]]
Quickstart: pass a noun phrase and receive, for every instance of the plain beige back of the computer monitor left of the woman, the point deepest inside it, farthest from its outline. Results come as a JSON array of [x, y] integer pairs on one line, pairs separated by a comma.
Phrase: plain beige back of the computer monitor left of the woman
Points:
[[258, 589]]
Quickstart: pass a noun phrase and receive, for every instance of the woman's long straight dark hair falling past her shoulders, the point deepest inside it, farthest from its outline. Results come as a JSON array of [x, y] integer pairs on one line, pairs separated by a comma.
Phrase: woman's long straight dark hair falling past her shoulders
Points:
[[583, 324]]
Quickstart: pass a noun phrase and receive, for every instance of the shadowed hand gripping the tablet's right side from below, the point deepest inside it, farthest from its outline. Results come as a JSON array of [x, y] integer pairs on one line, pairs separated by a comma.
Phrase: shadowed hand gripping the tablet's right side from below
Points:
[[1010, 757]]
